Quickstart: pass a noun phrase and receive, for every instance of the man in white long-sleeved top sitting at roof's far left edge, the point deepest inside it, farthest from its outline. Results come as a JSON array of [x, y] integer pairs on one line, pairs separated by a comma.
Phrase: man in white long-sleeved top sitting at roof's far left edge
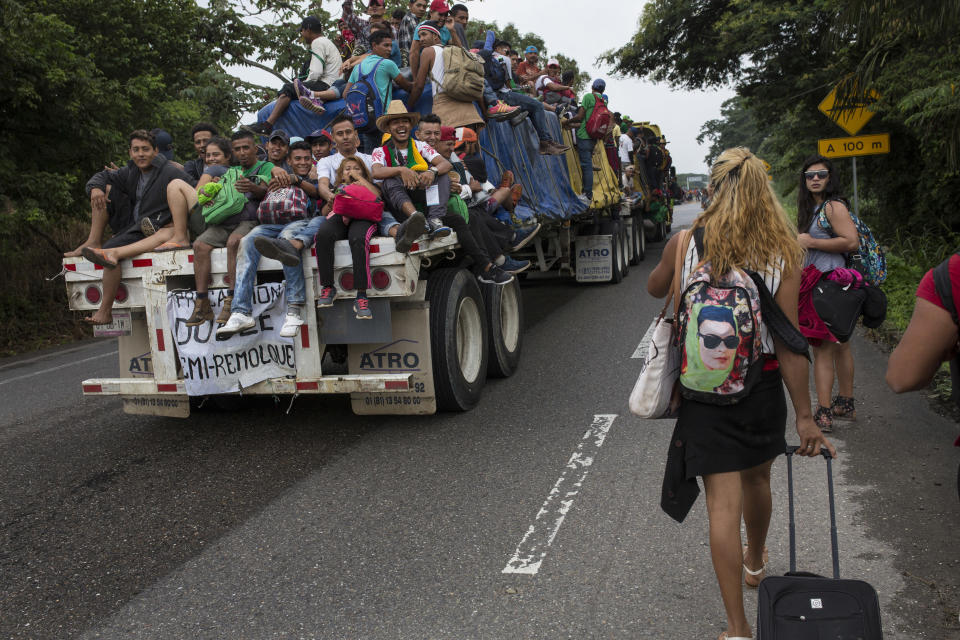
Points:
[[319, 77]]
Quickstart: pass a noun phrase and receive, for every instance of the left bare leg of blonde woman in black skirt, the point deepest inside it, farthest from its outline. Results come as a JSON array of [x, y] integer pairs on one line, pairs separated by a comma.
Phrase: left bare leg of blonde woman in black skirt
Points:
[[724, 508]]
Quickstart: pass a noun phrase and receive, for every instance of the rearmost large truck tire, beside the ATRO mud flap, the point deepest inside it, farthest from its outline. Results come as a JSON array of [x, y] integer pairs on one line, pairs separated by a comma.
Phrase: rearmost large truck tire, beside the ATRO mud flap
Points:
[[458, 338]]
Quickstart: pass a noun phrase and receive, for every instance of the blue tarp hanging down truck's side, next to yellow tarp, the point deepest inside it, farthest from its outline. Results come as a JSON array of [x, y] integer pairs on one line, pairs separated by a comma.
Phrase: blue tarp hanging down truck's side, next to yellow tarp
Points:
[[545, 179]]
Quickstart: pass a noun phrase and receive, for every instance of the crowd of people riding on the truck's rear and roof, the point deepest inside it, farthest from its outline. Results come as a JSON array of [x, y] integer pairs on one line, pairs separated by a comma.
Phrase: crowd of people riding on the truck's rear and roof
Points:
[[427, 174]]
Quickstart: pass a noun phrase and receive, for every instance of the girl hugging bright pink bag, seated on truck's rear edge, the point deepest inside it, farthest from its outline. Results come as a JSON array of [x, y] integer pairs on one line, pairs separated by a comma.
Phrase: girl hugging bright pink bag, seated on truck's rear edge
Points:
[[352, 176]]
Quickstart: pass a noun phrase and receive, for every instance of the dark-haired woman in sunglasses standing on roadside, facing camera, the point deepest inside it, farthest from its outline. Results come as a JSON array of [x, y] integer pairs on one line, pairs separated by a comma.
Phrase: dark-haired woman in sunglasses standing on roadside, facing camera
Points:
[[826, 251]]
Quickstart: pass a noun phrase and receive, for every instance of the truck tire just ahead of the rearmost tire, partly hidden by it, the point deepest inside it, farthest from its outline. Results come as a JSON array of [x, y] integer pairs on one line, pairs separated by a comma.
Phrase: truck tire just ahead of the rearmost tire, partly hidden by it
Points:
[[504, 327]]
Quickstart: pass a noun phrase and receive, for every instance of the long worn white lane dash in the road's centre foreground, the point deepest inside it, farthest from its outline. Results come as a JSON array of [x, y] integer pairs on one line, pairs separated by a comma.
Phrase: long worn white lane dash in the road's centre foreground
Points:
[[537, 540]]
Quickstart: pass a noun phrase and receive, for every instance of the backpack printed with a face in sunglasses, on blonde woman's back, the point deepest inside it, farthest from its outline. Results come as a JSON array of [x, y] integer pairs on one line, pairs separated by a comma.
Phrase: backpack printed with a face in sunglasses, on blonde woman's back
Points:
[[718, 330]]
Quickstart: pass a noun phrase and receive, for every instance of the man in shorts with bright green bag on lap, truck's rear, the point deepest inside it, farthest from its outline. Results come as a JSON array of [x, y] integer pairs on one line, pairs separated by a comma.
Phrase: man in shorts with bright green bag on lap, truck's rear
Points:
[[253, 185]]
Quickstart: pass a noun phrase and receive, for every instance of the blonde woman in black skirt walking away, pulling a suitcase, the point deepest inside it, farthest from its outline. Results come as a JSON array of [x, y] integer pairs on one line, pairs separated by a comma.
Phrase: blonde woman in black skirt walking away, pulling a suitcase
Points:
[[732, 446]]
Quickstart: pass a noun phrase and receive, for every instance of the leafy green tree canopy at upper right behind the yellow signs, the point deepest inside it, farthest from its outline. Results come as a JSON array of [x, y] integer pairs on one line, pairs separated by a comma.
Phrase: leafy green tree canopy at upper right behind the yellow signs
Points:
[[783, 57]]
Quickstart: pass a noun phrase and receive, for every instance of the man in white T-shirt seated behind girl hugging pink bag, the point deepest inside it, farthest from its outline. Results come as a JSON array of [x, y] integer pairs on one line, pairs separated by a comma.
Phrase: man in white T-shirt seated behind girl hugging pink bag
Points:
[[287, 248]]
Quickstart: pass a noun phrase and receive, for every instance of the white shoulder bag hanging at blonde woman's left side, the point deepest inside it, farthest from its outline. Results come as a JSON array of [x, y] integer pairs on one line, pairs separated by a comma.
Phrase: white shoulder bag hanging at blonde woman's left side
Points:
[[655, 394]]
